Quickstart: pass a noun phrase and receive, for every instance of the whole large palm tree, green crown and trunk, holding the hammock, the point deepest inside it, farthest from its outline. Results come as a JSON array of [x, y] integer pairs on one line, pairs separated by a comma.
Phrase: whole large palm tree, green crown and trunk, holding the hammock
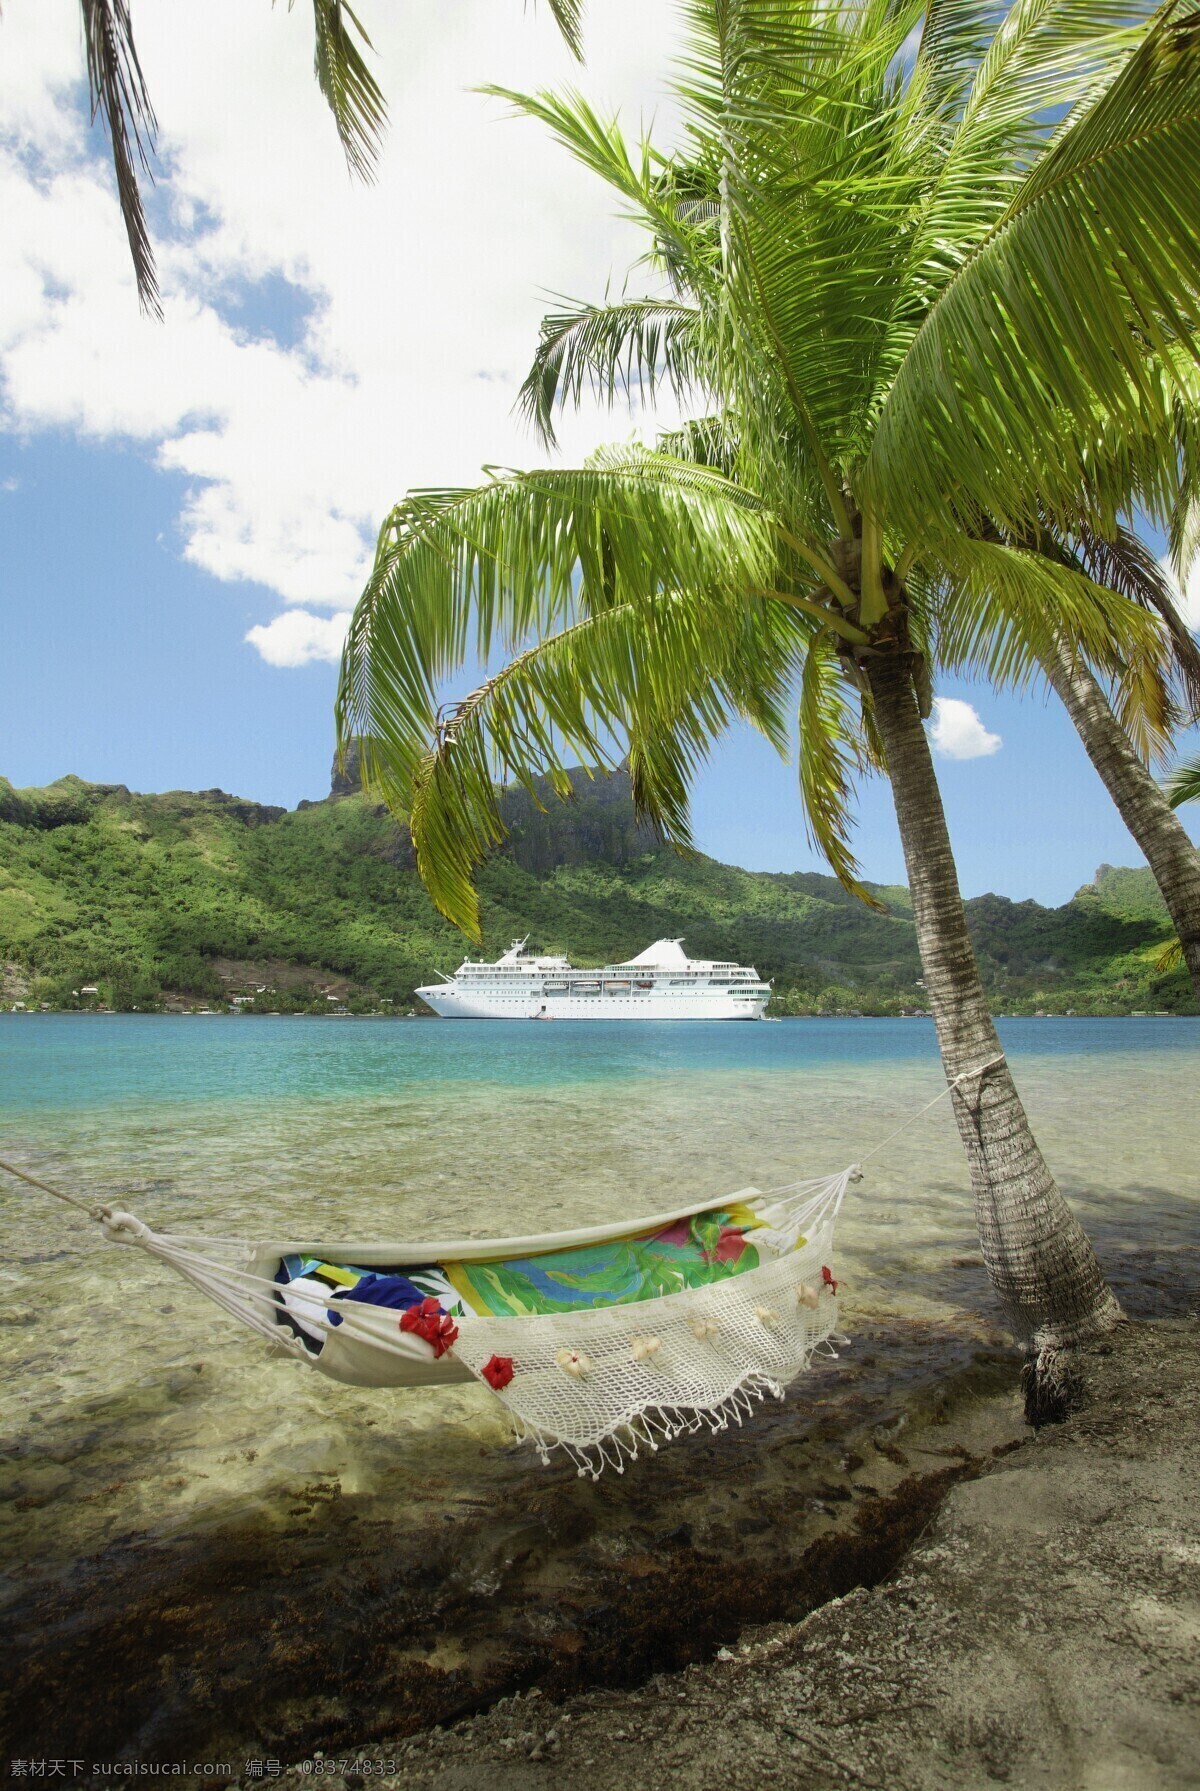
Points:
[[918, 329]]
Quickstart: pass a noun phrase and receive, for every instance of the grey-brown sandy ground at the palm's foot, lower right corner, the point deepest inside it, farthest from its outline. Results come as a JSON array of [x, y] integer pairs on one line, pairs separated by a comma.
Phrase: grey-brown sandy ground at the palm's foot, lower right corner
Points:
[[1045, 1632]]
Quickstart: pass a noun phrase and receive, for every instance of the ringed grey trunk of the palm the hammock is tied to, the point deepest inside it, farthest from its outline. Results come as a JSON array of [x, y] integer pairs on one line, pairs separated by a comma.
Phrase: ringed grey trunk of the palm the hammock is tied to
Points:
[[1036, 1251]]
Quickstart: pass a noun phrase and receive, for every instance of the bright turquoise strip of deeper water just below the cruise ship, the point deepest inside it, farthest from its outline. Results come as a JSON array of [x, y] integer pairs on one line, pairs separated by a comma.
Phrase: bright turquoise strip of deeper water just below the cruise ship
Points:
[[71, 1061]]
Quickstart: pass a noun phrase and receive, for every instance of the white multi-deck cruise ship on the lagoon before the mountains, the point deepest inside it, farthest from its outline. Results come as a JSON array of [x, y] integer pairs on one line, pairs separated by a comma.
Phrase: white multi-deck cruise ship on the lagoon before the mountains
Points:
[[658, 984]]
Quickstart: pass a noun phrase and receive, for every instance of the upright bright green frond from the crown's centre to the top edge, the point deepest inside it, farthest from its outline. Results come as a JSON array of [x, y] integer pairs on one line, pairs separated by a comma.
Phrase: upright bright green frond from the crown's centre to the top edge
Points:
[[801, 110]]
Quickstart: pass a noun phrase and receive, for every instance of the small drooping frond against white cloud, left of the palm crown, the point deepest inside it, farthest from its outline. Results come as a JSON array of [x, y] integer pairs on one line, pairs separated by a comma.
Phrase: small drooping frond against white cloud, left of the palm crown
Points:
[[608, 350]]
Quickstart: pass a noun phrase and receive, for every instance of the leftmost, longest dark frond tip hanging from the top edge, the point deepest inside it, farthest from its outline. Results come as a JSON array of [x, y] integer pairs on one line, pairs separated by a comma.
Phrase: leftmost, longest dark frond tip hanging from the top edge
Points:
[[119, 94]]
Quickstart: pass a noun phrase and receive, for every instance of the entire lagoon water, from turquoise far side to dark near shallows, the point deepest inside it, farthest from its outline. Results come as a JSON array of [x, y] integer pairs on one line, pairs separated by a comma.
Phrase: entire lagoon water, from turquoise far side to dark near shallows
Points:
[[175, 1496]]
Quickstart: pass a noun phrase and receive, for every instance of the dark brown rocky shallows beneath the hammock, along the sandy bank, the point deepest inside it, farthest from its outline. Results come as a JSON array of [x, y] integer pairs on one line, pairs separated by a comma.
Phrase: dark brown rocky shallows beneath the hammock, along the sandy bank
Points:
[[343, 1615]]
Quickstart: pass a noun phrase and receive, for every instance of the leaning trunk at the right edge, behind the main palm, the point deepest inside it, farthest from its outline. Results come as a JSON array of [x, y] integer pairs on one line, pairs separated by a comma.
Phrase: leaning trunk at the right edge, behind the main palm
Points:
[[1142, 805]]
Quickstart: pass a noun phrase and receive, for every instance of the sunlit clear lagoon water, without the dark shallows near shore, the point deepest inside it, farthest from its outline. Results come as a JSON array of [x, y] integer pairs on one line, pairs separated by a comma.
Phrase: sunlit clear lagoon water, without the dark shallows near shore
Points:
[[133, 1409]]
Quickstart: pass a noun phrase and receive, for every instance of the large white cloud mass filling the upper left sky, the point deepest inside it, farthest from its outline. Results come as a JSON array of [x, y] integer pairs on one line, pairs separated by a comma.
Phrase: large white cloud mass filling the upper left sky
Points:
[[418, 298]]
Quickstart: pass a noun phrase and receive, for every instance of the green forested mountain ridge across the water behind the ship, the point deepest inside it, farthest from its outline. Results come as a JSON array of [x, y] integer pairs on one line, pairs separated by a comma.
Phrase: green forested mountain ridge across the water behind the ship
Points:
[[184, 898]]
